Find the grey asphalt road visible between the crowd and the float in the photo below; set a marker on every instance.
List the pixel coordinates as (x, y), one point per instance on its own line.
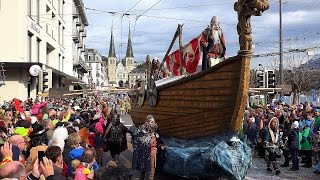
(256, 172)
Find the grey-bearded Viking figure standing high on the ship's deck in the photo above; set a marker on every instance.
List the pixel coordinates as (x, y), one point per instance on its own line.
(213, 44)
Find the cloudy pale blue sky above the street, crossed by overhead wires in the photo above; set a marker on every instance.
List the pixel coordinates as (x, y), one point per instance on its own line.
(154, 22)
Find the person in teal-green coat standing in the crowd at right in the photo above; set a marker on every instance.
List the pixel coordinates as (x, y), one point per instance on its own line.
(306, 146)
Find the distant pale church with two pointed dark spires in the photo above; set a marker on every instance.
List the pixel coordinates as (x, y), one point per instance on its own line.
(119, 70)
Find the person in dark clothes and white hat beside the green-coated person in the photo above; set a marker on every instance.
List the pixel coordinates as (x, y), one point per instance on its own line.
(293, 144)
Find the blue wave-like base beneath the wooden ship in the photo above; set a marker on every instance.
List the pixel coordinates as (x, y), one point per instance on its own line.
(207, 158)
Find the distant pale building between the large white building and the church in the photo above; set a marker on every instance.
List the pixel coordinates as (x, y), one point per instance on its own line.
(96, 75)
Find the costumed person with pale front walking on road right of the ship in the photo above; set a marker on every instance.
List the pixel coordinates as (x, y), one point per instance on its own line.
(271, 138)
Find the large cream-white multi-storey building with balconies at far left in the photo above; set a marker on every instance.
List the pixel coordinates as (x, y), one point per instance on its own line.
(38, 32)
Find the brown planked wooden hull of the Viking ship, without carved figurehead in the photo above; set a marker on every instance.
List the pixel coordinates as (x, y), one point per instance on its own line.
(202, 104)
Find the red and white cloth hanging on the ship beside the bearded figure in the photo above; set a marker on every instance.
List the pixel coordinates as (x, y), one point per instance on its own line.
(191, 58)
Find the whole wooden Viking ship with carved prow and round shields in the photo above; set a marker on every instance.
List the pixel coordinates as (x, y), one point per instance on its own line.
(208, 102)
